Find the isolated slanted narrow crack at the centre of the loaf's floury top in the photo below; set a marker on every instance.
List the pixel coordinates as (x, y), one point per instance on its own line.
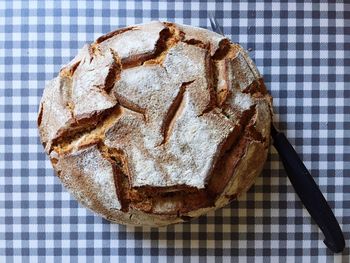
(174, 112)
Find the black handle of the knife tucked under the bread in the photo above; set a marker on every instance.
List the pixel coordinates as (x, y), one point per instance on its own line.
(309, 193)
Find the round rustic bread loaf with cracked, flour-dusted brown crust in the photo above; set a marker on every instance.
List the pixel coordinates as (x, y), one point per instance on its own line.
(157, 123)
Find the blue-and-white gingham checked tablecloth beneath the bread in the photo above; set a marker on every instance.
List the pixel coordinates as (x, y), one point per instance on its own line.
(302, 49)
